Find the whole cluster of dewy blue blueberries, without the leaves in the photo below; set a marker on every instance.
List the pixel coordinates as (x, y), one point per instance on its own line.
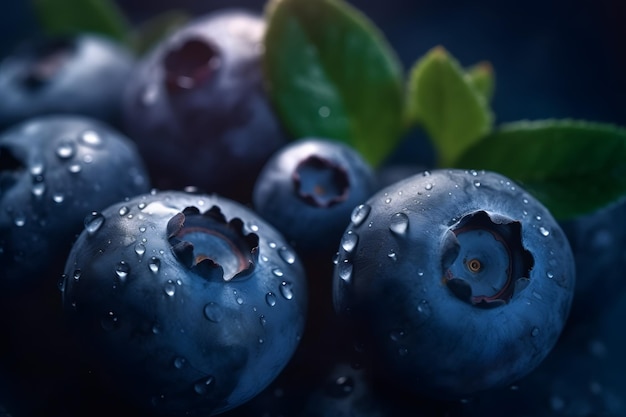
(179, 254)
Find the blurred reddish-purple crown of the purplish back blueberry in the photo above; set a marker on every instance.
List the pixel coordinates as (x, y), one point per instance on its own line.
(190, 65)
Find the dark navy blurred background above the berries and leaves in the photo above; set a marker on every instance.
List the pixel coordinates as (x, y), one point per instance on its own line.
(551, 58)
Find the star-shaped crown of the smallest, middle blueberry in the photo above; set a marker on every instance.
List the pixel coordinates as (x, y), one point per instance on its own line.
(320, 182)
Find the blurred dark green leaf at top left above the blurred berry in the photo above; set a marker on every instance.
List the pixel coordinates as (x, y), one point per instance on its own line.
(62, 17)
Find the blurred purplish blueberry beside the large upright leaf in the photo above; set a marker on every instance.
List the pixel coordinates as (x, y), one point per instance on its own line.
(197, 107)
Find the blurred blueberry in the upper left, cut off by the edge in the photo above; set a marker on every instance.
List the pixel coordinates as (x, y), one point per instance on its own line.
(82, 74)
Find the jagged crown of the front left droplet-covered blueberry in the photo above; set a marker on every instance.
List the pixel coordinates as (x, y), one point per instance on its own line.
(212, 247)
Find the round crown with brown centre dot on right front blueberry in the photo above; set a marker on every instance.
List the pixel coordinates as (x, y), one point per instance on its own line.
(485, 263)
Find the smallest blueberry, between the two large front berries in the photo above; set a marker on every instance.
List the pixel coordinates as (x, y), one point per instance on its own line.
(308, 190)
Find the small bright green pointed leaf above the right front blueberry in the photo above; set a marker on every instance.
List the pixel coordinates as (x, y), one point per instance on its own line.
(447, 105)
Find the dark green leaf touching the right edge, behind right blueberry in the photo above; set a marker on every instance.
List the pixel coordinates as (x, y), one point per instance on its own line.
(573, 167)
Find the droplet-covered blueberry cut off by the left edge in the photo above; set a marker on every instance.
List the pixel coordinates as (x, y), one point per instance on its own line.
(54, 170)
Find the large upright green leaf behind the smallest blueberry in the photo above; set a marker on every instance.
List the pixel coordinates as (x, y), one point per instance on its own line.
(330, 73)
